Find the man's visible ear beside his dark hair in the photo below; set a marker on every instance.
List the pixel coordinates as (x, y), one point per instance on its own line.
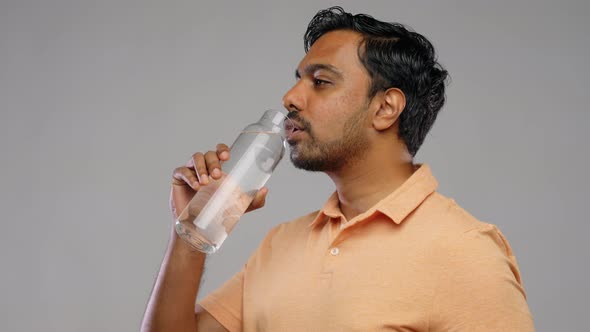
(390, 105)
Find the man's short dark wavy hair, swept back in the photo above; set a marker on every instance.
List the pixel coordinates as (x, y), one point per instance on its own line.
(394, 56)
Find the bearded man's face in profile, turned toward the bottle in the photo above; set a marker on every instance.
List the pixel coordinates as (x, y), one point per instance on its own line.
(329, 102)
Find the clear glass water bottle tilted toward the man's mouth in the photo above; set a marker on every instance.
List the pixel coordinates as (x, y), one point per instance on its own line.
(216, 207)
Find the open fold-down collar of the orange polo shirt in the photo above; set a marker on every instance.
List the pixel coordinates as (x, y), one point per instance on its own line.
(396, 206)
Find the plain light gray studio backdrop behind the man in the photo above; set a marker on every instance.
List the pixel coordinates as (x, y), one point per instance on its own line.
(100, 101)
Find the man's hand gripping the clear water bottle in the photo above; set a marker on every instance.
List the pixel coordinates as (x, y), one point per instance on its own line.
(187, 179)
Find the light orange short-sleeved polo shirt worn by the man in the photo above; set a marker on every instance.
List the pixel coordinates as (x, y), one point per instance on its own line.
(415, 261)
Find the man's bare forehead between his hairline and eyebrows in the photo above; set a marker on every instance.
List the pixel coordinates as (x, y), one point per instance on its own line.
(337, 48)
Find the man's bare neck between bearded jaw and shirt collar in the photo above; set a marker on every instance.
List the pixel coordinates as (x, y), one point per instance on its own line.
(379, 172)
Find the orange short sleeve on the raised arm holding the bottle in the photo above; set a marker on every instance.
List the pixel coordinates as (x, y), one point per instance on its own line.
(225, 303)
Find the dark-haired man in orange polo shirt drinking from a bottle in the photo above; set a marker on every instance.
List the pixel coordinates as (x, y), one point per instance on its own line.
(386, 251)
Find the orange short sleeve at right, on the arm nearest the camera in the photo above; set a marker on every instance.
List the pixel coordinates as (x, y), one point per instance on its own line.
(479, 287)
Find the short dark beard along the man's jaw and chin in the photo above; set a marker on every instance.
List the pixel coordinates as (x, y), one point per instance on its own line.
(311, 155)
